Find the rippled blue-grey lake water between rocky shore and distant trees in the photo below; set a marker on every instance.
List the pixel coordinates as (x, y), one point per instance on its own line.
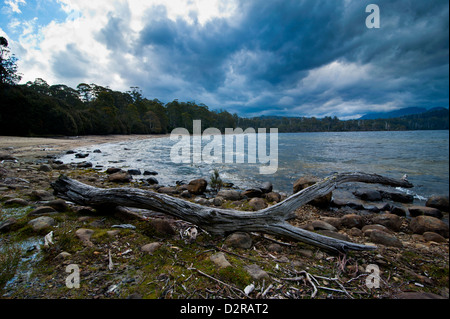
(422, 155)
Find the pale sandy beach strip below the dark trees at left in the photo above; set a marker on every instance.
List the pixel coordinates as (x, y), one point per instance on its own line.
(33, 147)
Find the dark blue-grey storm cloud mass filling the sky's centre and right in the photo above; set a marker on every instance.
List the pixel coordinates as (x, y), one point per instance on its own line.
(297, 57)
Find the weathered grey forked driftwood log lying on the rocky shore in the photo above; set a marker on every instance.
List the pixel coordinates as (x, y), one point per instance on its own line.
(271, 220)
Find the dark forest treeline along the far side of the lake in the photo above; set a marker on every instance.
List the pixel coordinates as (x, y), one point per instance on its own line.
(38, 109)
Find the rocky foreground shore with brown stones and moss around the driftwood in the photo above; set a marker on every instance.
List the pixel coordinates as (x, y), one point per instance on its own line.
(144, 254)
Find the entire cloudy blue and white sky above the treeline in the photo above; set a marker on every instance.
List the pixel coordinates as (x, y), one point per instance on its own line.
(250, 57)
